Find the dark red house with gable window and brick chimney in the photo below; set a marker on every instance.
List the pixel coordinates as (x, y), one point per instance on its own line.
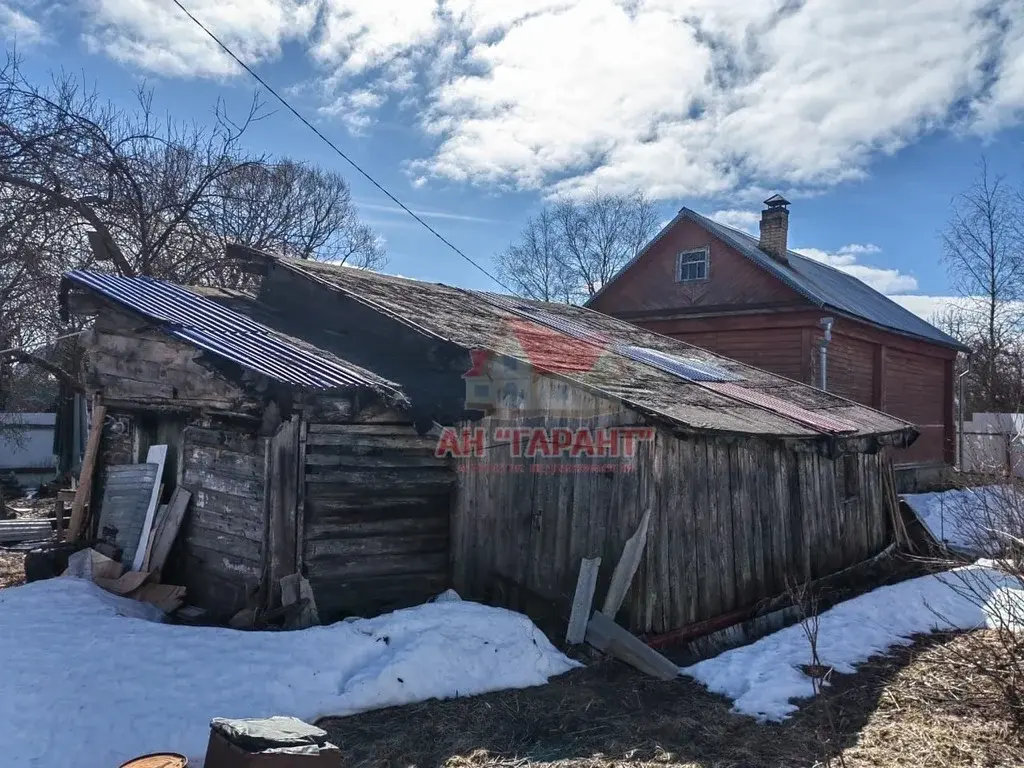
(758, 303)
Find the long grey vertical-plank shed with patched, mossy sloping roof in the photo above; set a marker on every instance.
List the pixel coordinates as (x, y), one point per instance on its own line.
(753, 481)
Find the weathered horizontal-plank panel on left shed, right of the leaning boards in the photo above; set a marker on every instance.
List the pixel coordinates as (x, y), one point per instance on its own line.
(223, 540)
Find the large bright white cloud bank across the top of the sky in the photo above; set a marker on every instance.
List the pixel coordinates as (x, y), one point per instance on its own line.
(681, 98)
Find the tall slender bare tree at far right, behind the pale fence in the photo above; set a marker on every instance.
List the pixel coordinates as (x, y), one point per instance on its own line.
(985, 253)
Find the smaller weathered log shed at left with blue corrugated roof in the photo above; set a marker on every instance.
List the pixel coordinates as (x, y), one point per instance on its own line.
(296, 459)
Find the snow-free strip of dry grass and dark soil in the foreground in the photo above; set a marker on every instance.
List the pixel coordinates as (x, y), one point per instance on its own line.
(908, 709)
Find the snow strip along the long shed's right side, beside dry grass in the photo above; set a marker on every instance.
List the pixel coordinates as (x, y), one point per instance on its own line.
(764, 678)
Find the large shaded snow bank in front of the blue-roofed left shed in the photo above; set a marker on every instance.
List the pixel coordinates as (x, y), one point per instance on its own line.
(91, 679)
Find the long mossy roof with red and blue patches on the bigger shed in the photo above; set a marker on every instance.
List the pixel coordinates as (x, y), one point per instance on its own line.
(759, 403)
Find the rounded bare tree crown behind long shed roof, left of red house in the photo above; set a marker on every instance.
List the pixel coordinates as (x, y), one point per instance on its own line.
(574, 247)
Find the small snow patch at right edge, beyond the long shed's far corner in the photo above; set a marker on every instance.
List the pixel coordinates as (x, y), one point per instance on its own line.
(966, 520)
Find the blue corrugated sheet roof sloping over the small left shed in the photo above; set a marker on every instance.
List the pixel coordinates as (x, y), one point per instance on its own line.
(228, 334)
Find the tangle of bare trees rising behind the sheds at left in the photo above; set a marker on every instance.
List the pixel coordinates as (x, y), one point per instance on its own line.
(84, 182)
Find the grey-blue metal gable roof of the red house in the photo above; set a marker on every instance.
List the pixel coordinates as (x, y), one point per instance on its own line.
(823, 285)
